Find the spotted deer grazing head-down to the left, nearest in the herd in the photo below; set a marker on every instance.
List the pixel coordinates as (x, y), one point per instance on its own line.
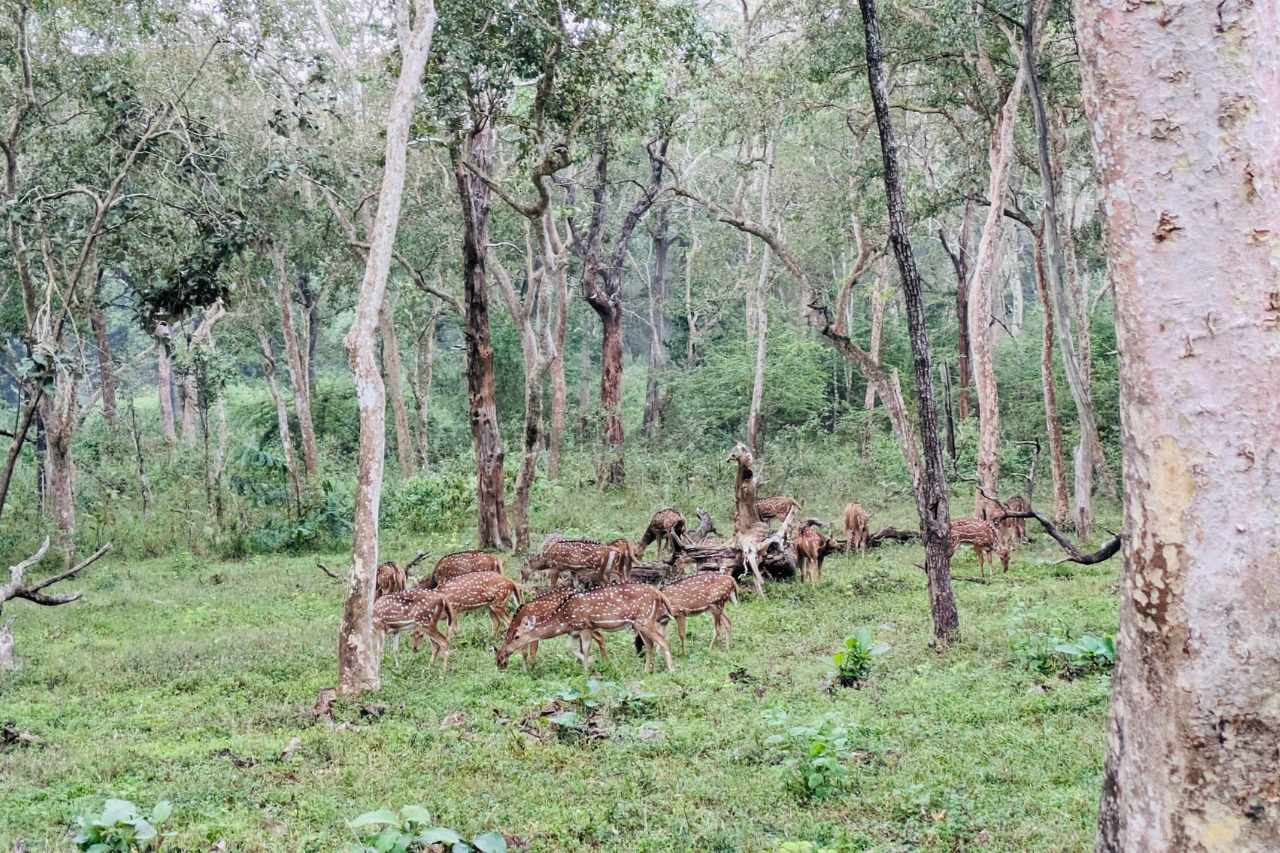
(607, 609)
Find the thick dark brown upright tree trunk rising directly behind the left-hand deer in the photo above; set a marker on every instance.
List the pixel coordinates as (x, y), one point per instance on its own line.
(474, 193)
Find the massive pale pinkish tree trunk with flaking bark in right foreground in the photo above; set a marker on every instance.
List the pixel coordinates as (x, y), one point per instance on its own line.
(1185, 104)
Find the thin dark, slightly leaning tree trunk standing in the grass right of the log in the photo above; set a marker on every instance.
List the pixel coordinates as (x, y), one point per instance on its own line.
(931, 492)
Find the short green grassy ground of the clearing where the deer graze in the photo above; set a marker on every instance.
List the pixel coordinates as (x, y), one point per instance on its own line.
(182, 679)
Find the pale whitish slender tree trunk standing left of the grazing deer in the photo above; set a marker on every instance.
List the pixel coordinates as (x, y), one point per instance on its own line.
(359, 649)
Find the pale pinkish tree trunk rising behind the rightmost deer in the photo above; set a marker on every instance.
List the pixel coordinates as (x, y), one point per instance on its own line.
(981, 288)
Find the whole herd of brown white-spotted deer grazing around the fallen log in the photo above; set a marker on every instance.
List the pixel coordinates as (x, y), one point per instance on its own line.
(602, 595)
